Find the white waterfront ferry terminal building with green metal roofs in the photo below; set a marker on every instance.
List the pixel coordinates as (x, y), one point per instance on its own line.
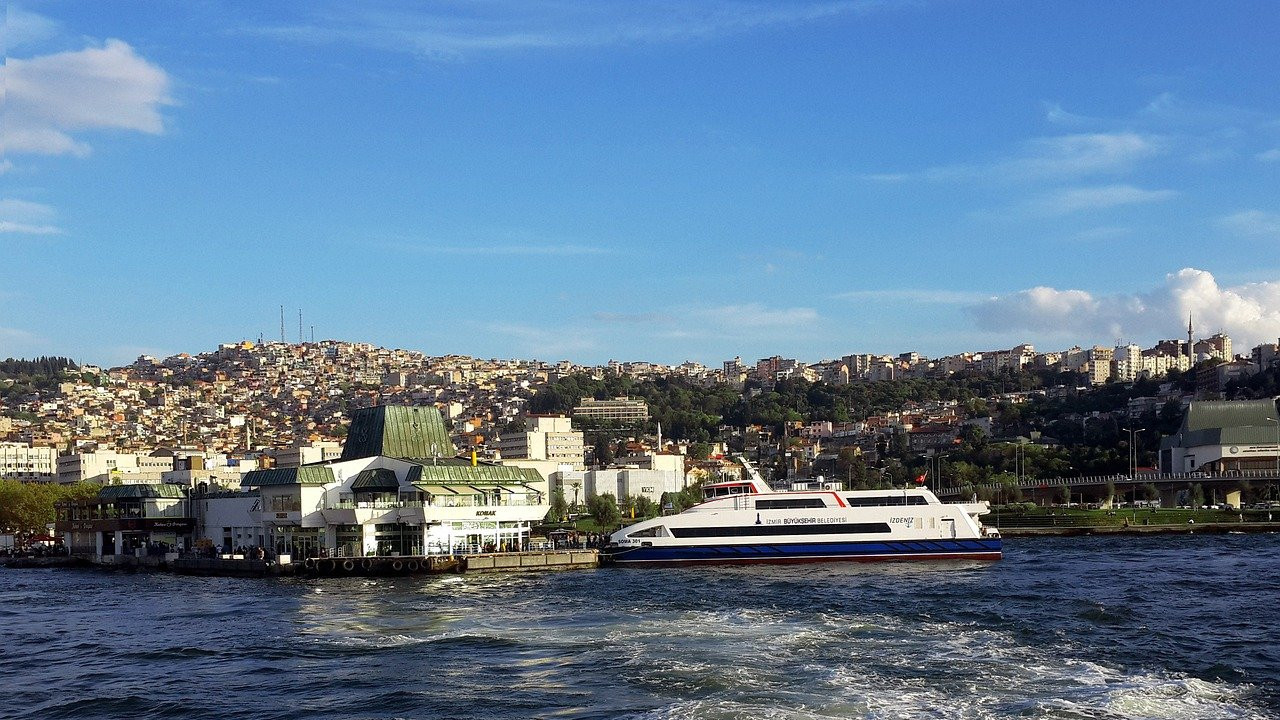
(397, 490)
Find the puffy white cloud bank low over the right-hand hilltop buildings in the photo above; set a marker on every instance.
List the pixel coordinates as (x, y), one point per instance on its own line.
(1250, 313)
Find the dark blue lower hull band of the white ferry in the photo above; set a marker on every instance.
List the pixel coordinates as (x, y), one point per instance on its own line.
(792, 553)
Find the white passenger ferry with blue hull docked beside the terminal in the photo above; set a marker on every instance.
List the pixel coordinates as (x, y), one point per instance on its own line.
(744, 522)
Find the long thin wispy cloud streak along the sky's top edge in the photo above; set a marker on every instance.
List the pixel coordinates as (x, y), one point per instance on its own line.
(540, 25)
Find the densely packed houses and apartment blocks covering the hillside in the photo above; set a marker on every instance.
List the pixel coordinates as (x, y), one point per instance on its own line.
(248, 405)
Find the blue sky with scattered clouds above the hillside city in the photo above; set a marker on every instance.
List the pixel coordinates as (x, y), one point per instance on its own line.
(659, 181)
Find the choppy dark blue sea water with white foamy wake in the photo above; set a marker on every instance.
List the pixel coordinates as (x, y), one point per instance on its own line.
(1069, 628)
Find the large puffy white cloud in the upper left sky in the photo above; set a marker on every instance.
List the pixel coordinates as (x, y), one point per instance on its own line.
(51, 98)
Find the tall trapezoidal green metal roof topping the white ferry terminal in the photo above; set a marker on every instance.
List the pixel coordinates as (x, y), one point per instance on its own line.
(397, 431)
